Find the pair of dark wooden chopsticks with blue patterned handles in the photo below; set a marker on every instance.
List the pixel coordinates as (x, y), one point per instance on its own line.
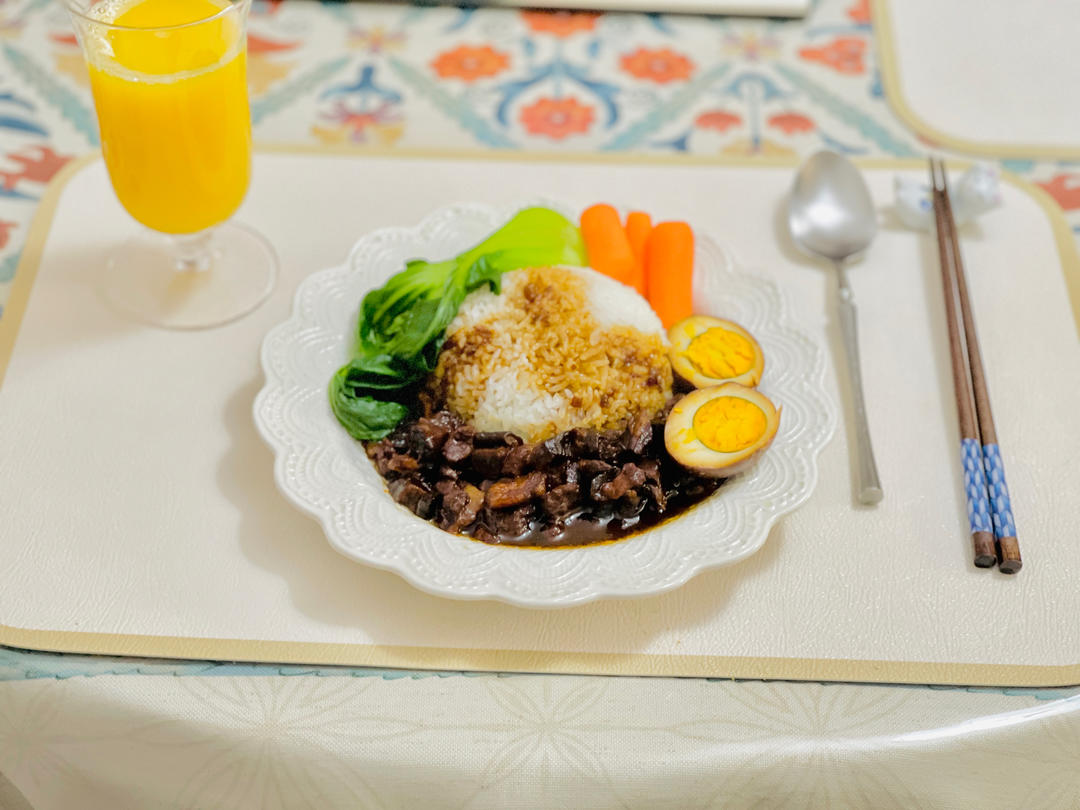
(989, 505)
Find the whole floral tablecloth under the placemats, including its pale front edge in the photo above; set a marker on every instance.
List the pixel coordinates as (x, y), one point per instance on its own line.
(92, 733)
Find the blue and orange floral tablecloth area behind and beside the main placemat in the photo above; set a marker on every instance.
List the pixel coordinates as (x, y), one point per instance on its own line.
(333, 73)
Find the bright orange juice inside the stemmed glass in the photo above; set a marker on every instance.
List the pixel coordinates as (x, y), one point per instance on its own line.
(172, 109)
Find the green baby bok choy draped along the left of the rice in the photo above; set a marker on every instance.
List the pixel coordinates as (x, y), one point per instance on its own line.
(403, 325)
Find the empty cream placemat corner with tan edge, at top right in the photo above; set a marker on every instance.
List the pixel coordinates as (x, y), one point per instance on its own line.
(984, 78)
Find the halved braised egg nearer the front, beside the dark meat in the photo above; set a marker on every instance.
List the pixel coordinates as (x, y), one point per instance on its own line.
(719, 431)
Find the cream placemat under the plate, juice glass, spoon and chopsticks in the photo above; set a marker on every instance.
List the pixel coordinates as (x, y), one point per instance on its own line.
(140, 499)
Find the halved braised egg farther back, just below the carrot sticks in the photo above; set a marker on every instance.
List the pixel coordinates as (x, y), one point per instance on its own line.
(708, 352)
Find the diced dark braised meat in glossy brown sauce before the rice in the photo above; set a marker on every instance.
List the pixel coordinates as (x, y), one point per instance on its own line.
(580, 488)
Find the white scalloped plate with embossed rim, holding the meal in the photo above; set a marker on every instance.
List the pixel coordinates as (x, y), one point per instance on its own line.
(326, 472)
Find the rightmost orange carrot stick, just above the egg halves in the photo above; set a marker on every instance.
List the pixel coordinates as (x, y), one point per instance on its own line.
(669, 272)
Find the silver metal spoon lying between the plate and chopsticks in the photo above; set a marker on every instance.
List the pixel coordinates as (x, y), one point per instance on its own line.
(831, 217)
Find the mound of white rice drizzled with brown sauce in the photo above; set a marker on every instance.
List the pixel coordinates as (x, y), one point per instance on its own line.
(559, 348)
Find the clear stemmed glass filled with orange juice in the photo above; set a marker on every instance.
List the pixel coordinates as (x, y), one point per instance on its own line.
(169, 80)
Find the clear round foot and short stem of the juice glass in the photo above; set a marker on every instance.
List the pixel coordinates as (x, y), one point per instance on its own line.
(147, 279)
